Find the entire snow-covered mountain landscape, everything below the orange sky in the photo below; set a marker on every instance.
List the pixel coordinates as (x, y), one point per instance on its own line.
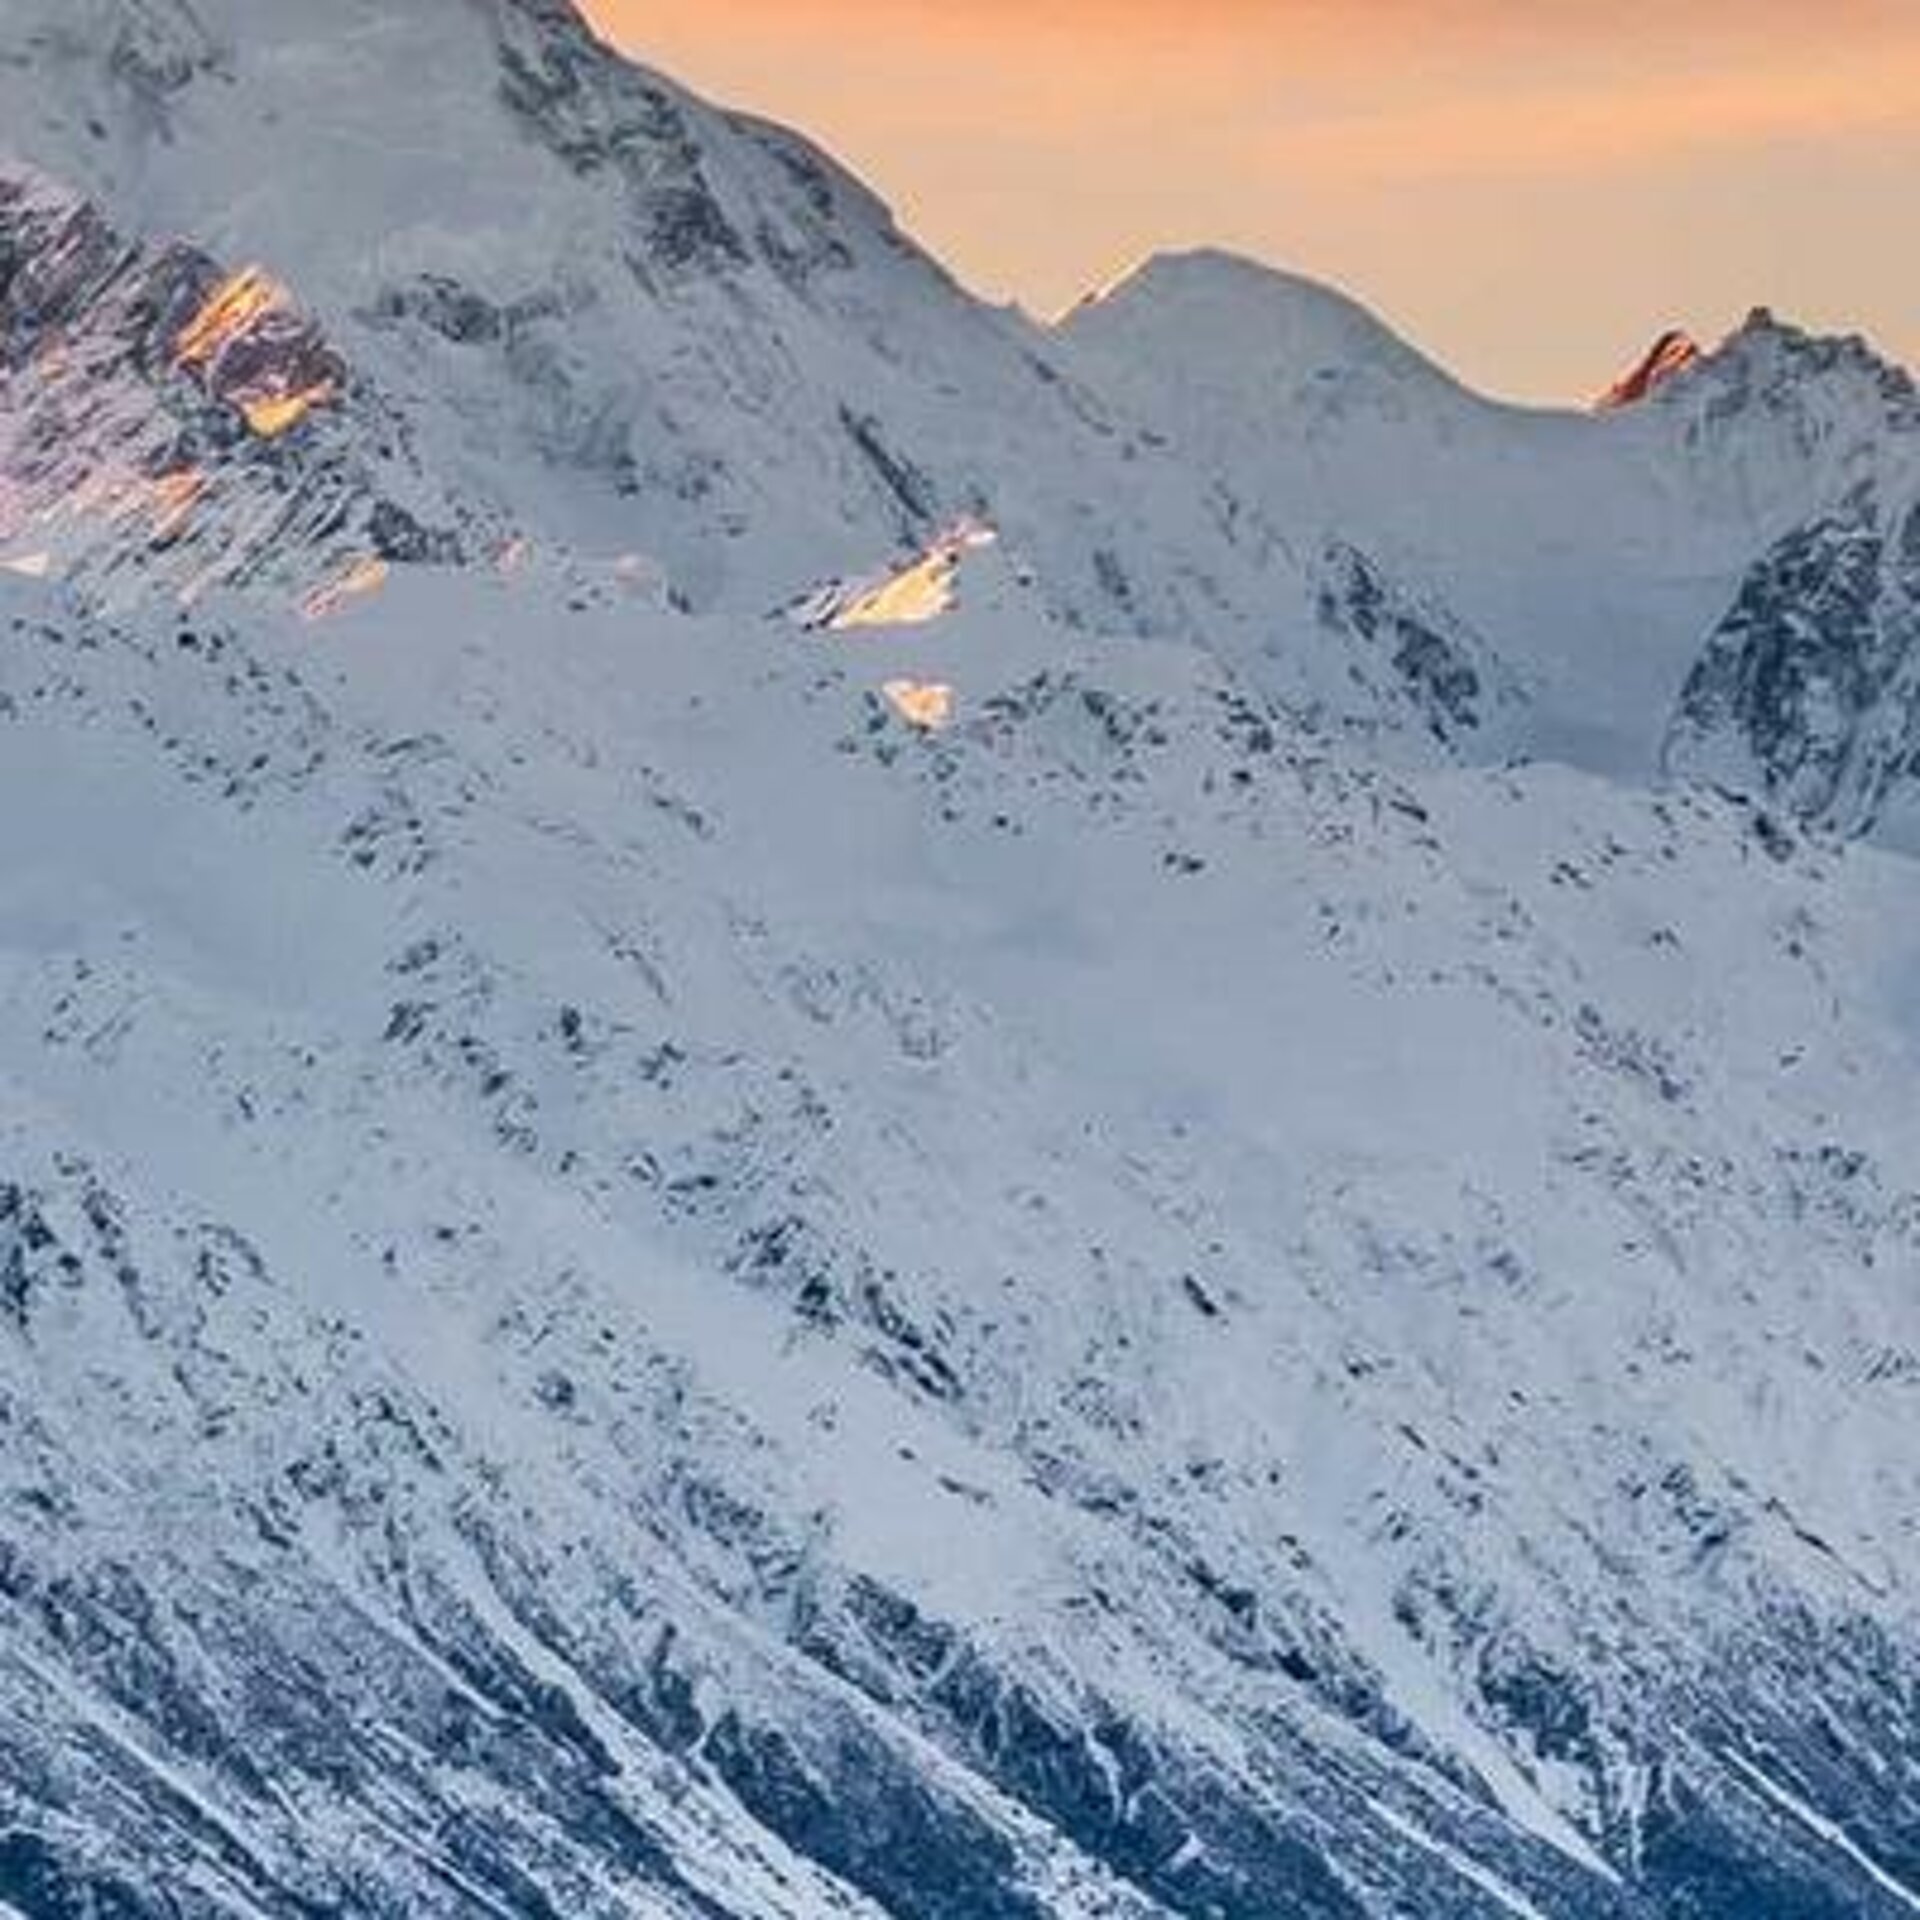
(719, 1199)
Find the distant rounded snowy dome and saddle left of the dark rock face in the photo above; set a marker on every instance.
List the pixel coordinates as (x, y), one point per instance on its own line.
(1595, 554)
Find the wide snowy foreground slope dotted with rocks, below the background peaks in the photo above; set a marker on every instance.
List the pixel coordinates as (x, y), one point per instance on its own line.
(577, 1337)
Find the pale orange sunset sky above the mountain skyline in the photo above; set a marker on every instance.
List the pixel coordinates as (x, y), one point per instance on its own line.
(1533, 191)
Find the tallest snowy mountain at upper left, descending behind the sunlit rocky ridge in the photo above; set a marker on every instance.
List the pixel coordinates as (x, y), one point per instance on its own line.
(613, 314)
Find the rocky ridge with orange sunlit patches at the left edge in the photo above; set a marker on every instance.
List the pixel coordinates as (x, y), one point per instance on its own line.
(178, 425)
